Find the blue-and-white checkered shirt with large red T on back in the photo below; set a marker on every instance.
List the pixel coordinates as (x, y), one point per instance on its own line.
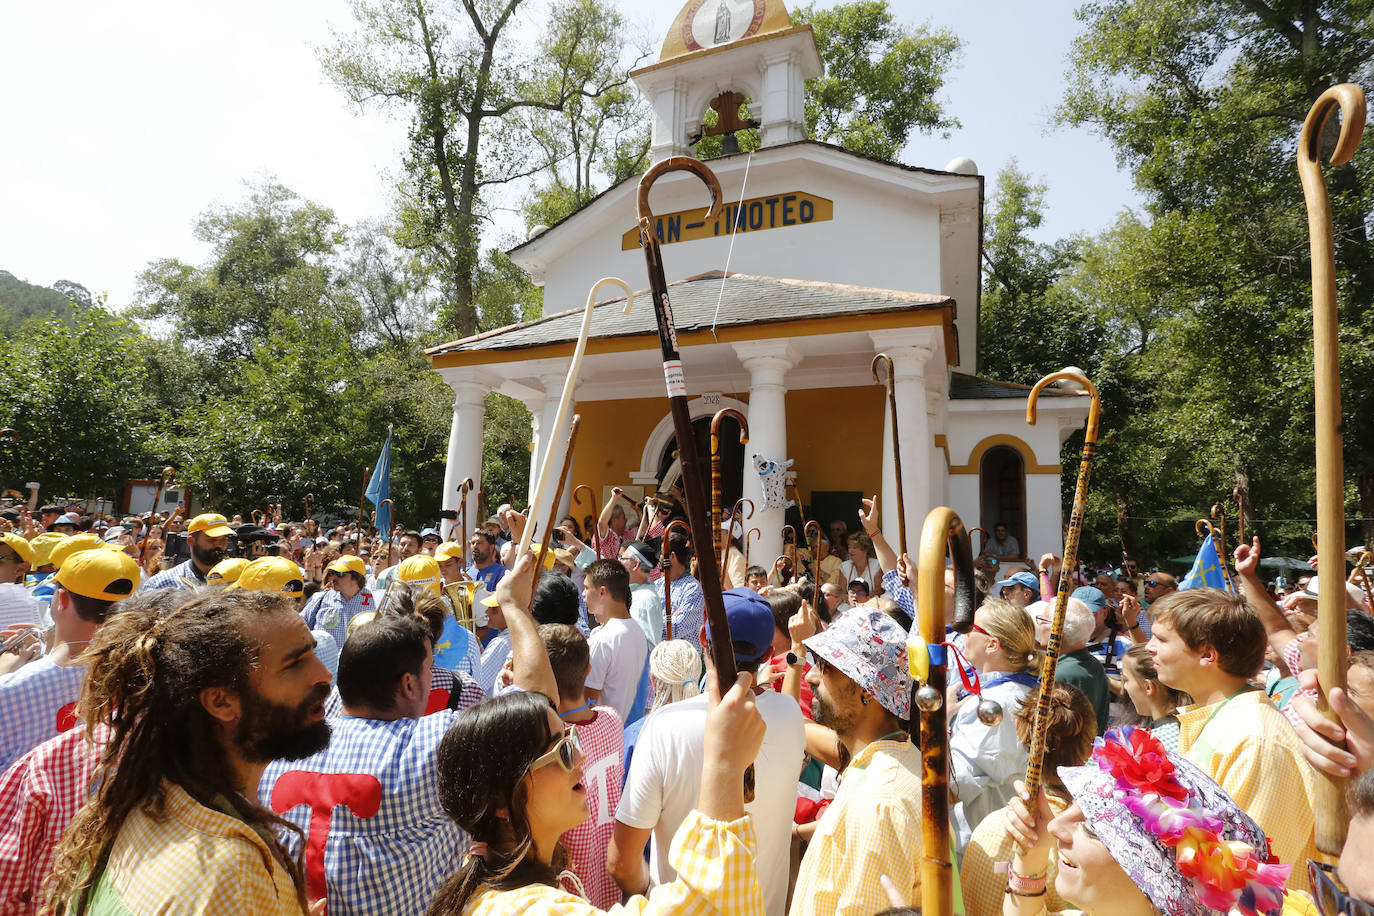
(377, 837)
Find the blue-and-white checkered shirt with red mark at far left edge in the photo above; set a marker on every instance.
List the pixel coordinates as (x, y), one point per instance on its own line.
(36, 702)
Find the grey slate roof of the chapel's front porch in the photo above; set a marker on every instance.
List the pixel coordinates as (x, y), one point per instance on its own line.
(748, 300)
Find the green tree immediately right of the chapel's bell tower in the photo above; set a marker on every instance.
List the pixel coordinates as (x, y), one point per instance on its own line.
(883, 79)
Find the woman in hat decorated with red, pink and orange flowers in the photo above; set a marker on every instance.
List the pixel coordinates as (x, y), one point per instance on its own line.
(1148, 834)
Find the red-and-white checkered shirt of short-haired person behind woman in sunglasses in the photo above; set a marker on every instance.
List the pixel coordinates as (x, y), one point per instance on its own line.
(604, 771)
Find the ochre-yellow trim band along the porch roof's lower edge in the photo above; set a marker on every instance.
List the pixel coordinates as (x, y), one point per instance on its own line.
(763, 332)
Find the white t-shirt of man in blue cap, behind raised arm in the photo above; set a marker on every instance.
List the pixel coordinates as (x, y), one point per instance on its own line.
(666, 778)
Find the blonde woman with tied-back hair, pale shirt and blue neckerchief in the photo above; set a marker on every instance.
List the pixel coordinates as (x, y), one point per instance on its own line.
(986, 759)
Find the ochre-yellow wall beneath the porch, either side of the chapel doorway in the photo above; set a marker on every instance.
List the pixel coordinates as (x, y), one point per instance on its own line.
(835, 437)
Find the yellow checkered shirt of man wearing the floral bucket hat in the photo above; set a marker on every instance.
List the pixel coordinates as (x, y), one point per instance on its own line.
(873, 829)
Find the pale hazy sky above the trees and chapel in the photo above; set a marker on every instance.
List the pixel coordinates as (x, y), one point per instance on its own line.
(126, 122)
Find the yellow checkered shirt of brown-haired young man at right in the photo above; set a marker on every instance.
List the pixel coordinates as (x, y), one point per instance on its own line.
(1258, 759)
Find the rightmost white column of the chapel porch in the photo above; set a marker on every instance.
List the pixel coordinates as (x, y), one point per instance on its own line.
(913, 440)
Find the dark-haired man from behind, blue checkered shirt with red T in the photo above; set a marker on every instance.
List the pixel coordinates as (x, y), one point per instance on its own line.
(376, 837)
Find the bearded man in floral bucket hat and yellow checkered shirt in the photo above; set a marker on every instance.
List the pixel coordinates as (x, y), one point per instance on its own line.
(862, 690)
